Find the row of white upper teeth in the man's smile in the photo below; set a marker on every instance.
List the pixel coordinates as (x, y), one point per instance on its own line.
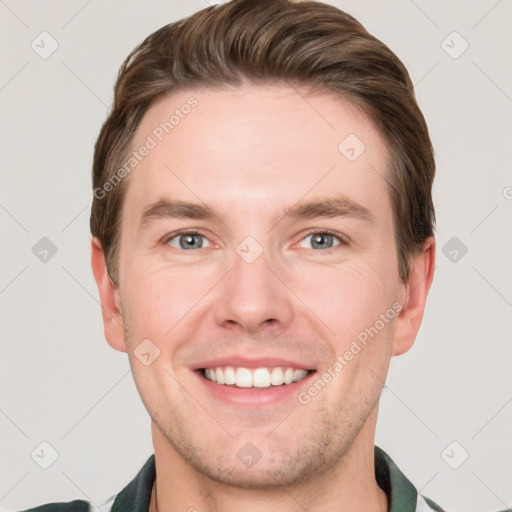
(257, 378)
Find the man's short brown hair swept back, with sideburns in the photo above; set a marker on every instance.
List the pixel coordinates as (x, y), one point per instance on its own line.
(302, 43)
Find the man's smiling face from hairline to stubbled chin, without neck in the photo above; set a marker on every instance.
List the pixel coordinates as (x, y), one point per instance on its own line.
(259, 294)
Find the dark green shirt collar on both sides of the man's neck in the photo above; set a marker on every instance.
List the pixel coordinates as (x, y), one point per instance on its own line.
(401, 493)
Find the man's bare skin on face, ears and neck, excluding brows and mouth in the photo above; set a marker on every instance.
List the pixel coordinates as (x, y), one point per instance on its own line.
(249, 153)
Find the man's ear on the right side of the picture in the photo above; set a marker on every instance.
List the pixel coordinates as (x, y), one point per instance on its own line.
(414, 297)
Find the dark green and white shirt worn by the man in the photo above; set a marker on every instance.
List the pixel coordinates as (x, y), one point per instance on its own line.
(135, 497)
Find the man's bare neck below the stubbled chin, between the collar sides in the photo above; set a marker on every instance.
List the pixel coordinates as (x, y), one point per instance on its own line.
(349, 485)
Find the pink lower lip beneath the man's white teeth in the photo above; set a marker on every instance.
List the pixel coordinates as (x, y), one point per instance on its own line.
(254, 396)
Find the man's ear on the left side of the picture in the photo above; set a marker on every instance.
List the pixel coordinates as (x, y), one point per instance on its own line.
(109, 297)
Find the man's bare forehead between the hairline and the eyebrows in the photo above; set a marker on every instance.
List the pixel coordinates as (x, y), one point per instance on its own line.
(251, 149)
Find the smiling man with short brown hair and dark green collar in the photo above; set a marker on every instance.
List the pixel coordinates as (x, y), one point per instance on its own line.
(263, 244)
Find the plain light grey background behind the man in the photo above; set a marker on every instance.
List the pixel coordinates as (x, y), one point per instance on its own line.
(60, 381)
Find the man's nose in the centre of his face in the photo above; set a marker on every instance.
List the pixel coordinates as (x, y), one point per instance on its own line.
(253, 297)
